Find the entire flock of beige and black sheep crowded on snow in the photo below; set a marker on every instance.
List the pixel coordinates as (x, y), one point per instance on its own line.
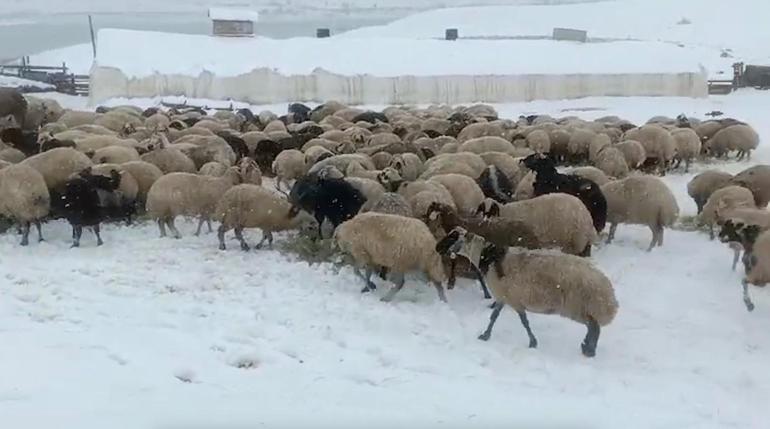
(441, 190)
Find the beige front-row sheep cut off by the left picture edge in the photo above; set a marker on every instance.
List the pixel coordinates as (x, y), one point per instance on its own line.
(24, 198)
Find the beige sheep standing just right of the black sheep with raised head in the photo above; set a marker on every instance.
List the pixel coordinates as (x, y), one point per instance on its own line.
(640, 200)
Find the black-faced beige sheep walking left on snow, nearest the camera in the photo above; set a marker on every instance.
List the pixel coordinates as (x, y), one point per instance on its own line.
(545, 283)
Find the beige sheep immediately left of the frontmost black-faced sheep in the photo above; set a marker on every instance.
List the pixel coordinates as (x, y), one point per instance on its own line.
(399, 244)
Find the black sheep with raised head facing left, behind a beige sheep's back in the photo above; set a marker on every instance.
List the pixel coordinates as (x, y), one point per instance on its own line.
(548, 181)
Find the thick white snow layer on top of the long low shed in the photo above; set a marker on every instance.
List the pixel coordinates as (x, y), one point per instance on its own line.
(190, 55)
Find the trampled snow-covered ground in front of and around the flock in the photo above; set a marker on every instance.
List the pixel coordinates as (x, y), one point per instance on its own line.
(147, 331)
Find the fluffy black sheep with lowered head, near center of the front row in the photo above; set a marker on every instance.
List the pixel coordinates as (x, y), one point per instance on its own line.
(326, 198)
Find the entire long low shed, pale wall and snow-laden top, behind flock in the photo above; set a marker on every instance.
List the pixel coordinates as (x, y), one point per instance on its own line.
(385, 70)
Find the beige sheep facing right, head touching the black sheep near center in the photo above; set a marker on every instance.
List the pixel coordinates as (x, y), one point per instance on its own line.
(252, 206)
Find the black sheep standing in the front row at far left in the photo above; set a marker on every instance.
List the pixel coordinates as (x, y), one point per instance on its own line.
(82, 203)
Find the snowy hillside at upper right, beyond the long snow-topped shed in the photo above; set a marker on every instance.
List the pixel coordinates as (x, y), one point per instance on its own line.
(714, 24)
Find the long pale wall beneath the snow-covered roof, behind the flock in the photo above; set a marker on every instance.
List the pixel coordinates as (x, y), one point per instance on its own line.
(263, 86)
